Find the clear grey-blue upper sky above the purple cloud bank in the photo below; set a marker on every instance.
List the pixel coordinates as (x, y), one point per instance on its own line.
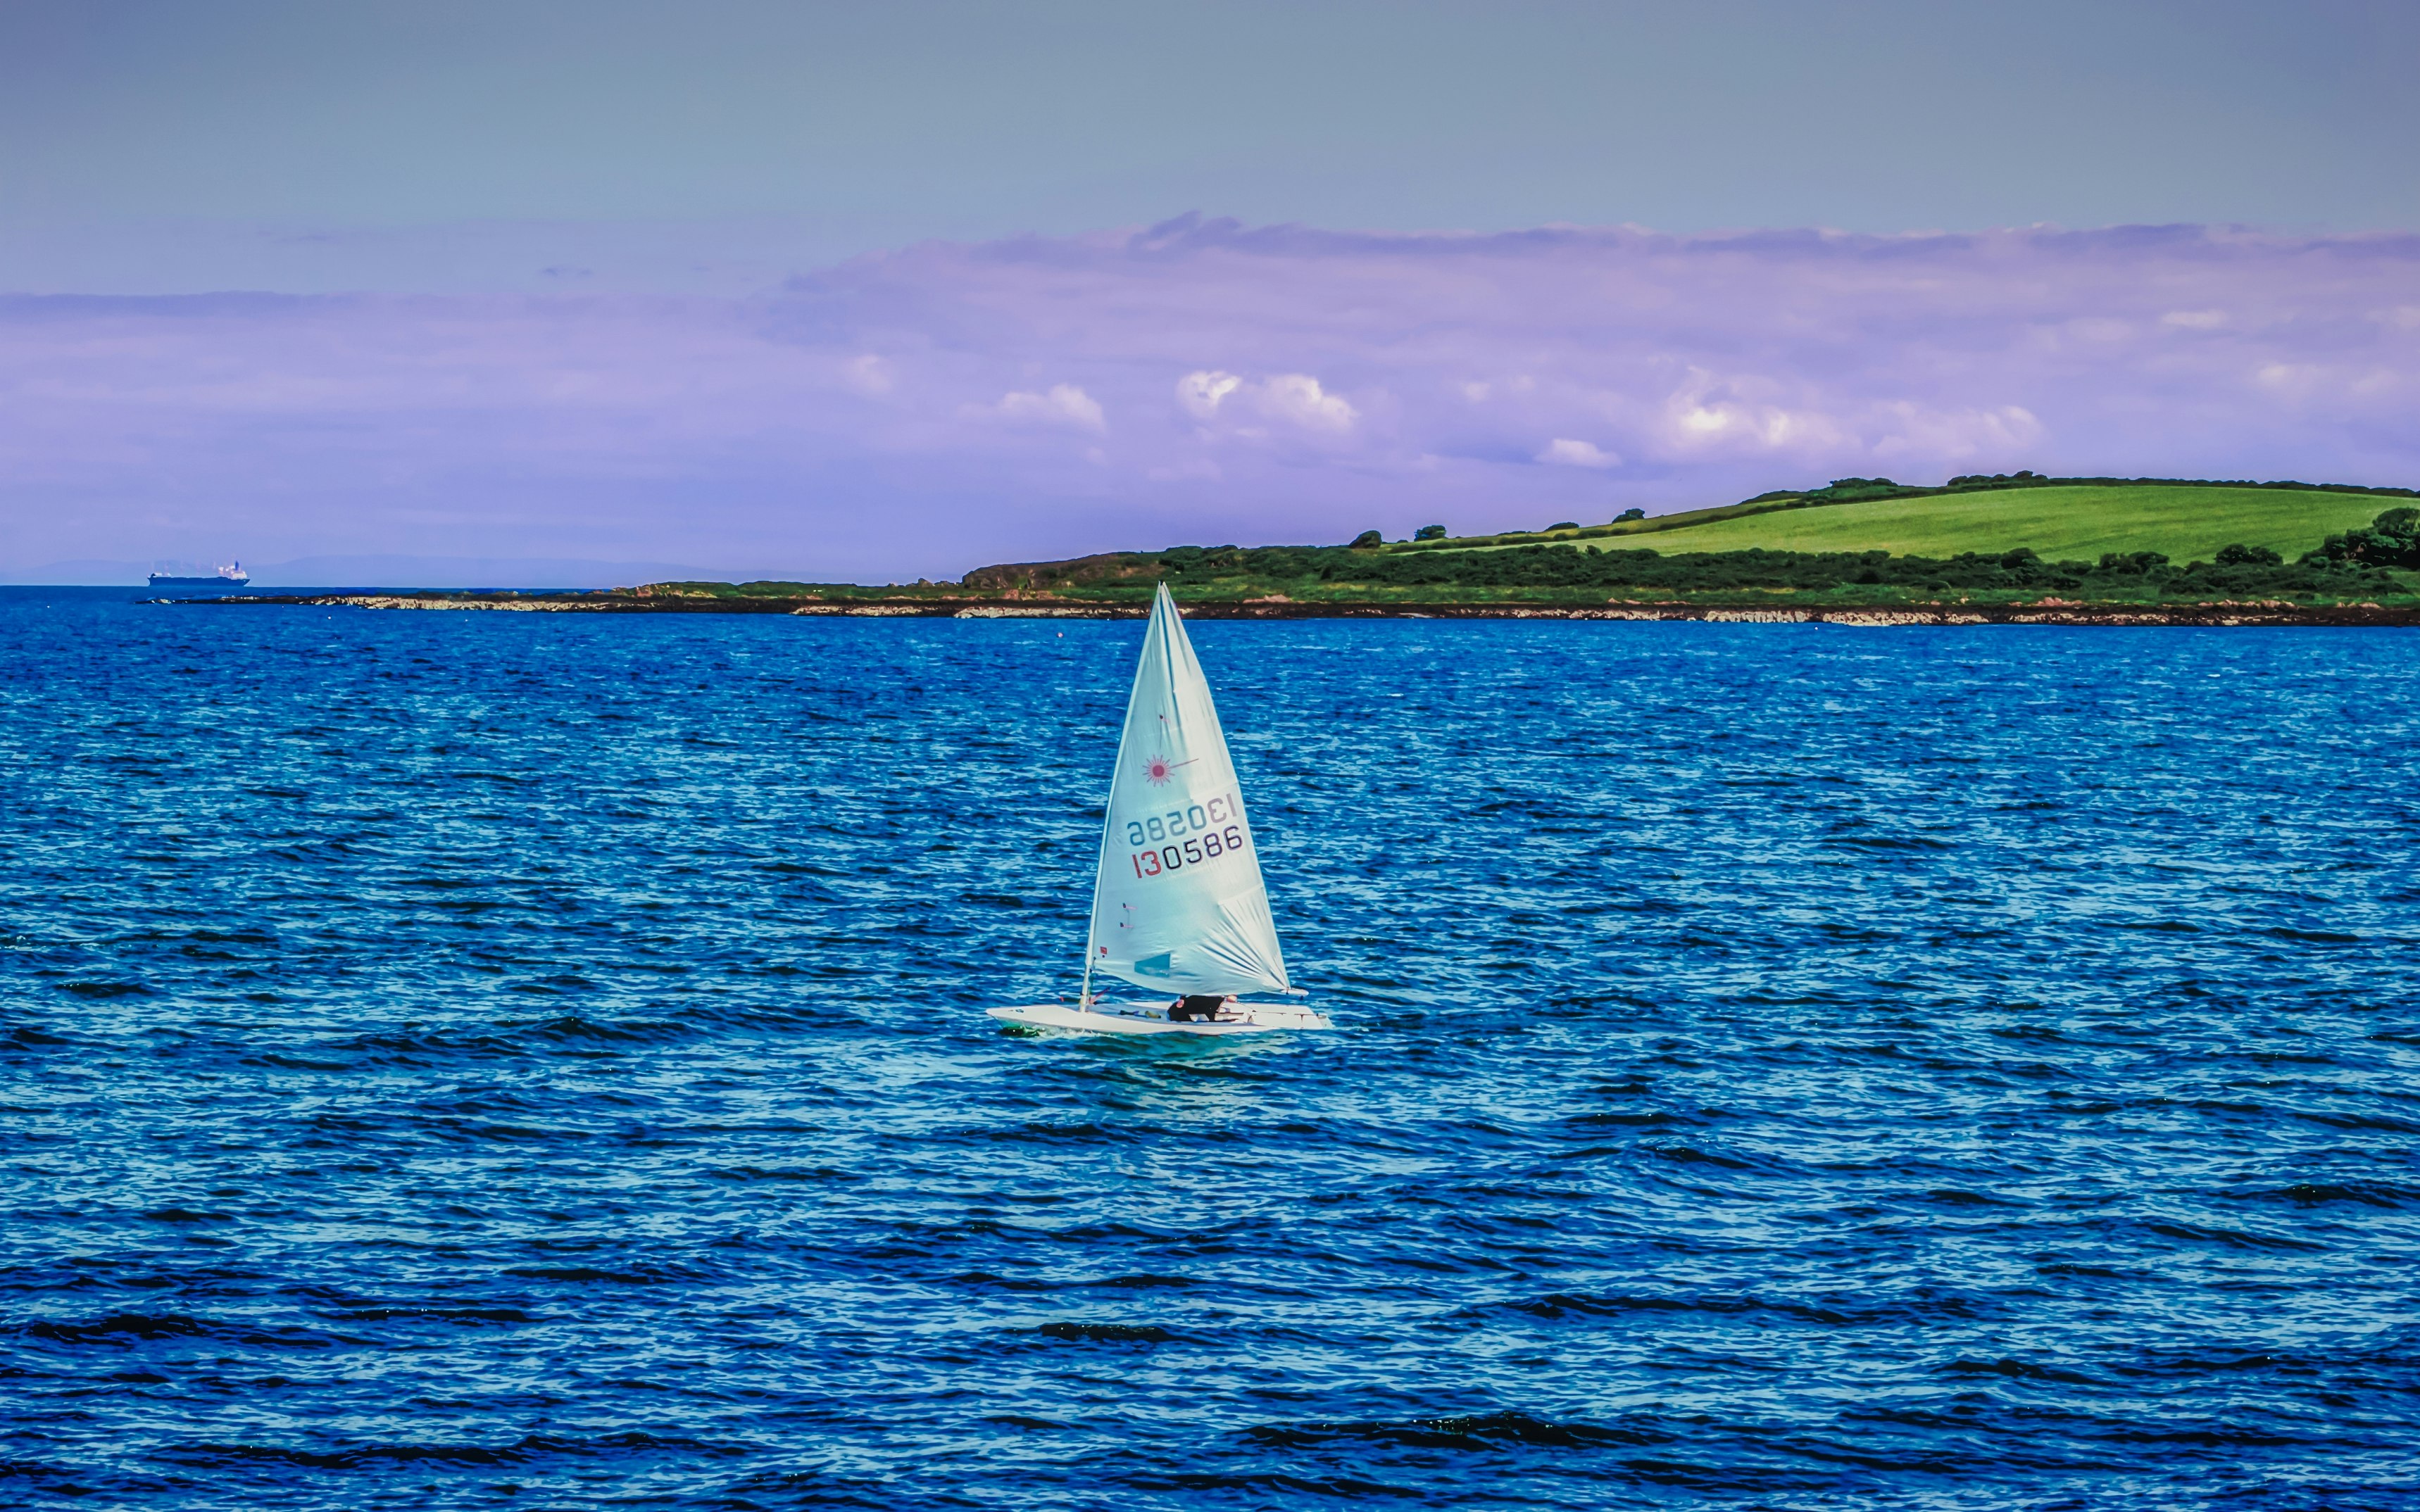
(797, 134)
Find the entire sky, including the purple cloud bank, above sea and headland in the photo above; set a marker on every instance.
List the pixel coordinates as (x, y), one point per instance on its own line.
(480, 226)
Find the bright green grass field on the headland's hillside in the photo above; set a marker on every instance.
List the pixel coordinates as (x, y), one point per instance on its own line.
(2061, 524)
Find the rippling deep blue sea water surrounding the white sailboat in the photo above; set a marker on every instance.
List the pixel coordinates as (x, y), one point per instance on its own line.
(536, 1061)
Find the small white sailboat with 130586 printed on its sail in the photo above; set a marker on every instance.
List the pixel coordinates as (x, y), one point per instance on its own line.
(1177, 901)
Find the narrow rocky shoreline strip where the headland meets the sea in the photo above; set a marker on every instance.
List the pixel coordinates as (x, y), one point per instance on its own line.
(1281, 608)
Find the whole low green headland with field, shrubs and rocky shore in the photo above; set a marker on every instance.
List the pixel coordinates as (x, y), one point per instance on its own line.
(1983, 548)
